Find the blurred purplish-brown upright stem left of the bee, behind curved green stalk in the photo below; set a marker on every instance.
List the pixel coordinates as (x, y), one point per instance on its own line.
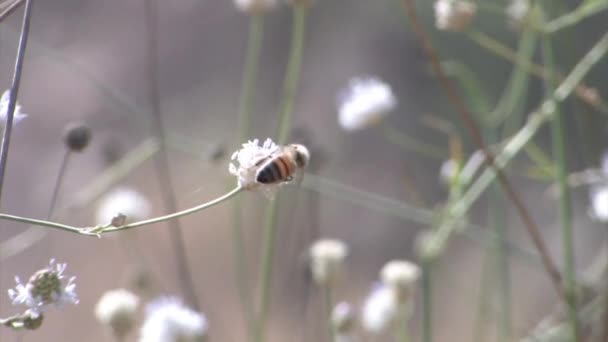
(161, 160)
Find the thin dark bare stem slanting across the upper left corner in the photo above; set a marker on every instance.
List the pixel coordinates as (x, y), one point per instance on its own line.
(12, 101)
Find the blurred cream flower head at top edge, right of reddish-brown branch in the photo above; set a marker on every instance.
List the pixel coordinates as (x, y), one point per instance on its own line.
(453, 15)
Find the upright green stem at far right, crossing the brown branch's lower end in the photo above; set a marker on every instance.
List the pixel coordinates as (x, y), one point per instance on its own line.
(565, 209)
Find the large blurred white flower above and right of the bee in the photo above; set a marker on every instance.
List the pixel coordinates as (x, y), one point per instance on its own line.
(364, 103)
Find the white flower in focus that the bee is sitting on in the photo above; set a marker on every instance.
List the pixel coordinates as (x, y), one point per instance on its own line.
(246, 164)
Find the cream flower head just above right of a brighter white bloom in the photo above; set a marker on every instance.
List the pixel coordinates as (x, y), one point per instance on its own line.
(402, 276)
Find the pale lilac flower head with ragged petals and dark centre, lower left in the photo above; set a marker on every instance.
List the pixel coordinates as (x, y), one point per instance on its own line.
(46, 286)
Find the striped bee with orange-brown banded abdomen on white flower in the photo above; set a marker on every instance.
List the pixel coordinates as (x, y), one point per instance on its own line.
(281, 165)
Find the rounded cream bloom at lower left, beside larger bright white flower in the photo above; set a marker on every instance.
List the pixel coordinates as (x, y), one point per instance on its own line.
(117, 309)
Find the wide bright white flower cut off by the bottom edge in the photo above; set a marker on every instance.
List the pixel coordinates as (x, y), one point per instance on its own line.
(168, 320)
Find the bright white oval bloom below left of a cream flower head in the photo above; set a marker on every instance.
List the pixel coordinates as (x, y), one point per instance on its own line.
(380, 309)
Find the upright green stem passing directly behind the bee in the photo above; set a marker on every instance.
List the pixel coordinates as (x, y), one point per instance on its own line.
(292, 77)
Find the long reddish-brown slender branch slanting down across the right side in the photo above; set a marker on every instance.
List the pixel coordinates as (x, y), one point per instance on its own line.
(467, 118)
